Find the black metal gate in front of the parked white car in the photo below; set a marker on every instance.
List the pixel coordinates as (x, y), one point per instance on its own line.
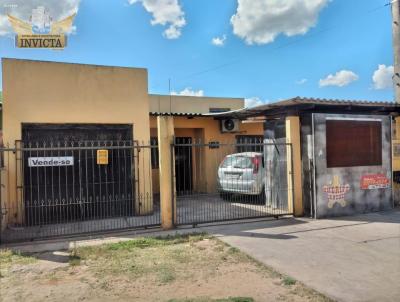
(232, 181)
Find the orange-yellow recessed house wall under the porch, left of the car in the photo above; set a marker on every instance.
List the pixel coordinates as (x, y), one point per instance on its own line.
(205, 130)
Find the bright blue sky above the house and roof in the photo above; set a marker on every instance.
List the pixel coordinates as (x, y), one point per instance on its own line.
(348, 40)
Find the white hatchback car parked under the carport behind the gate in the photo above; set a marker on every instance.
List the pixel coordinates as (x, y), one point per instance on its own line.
(242, 173)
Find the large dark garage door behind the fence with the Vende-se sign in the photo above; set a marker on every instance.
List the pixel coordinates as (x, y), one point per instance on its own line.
(68, 184)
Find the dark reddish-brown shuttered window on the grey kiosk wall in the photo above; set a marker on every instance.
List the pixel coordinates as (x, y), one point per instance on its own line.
(351, 143)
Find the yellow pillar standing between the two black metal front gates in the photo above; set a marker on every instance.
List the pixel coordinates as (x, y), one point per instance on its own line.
(165, 130)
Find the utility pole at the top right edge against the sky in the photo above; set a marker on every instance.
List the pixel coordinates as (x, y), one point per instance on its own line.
(396, 48)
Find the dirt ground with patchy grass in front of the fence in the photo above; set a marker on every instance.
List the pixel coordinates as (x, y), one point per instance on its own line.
(188, 268)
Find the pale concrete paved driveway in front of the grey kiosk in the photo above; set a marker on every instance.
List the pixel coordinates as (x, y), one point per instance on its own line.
(349, 259)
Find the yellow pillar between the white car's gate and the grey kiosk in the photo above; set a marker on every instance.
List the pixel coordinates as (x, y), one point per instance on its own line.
(294, 165)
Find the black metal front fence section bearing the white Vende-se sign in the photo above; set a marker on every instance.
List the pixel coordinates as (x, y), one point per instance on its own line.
(63, 189)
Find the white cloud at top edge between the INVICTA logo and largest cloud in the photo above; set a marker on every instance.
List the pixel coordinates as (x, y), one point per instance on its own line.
(166, 13)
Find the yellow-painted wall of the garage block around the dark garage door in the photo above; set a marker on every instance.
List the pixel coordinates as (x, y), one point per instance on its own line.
(48, 92)
